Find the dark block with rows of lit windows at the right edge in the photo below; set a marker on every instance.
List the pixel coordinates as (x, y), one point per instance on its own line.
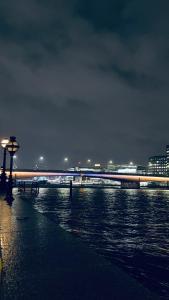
(157, 165)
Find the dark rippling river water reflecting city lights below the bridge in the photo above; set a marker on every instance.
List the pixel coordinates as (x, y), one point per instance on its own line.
(128, 227)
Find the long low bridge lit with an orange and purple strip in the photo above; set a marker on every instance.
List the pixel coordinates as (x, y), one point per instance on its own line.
(127, 180)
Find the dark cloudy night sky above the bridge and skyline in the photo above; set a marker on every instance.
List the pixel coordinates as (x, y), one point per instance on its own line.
(85, 79)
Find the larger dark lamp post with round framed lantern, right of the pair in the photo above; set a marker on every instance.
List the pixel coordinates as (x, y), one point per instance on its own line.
(12, 147)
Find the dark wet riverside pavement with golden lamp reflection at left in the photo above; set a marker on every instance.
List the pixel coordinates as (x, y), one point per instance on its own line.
(39, 260)
